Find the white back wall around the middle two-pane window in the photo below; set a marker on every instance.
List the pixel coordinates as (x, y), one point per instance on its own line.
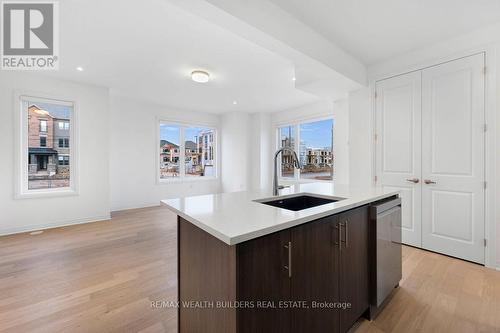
(133, 162)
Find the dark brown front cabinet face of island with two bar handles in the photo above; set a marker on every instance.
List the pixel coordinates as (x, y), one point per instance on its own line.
(323, 263)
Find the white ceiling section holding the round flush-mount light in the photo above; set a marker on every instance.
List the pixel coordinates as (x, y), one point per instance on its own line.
(148, 49)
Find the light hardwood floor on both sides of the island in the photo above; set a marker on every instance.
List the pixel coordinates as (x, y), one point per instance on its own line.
(102, 277)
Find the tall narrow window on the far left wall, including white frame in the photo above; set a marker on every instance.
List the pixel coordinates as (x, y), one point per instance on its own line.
(45, 156)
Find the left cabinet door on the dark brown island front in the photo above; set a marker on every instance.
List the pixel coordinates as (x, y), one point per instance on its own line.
(263, 276)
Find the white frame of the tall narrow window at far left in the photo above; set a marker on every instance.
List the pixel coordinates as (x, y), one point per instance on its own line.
(21, 190)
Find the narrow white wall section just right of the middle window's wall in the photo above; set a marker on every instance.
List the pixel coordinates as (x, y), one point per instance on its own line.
(235, 151)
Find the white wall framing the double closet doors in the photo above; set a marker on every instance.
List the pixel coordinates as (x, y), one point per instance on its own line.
(487, 40)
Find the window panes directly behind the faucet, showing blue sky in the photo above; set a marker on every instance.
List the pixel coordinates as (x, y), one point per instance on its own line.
(313, 142)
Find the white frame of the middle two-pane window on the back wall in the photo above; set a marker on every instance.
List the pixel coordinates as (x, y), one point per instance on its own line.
(182, 166)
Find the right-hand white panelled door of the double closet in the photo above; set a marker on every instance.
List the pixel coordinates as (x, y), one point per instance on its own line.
(453, 158)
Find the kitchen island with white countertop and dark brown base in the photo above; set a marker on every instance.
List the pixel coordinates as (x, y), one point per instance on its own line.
(245, 265)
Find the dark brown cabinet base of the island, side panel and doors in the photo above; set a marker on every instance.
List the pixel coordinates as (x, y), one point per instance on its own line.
(320, 264)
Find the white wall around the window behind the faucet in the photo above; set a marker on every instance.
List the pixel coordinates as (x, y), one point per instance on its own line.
(340, 112)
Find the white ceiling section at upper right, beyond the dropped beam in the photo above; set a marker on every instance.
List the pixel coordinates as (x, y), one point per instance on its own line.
(373, 31)
